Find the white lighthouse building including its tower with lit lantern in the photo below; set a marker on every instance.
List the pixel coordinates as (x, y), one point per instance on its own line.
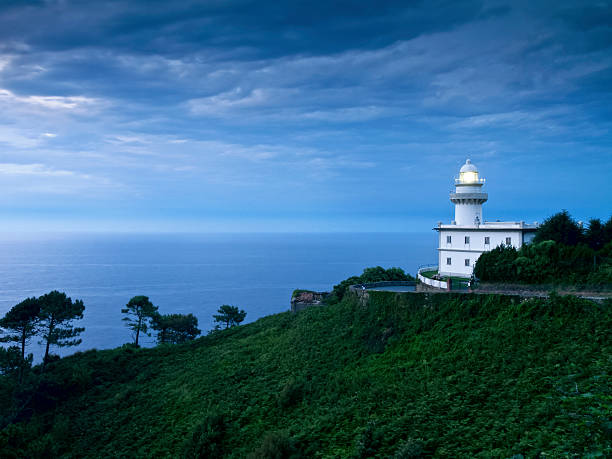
(463, 240)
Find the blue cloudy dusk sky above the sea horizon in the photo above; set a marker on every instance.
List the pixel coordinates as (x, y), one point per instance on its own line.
(248, 116)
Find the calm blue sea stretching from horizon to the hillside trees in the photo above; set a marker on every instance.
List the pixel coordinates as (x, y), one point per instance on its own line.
(192, 273)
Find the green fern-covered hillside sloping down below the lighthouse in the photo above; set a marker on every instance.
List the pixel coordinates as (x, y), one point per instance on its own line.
(405, 375)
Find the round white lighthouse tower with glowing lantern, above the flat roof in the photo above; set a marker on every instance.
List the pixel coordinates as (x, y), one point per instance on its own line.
(468, 196)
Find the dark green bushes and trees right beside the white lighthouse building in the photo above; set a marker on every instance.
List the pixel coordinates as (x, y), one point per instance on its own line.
(562, 253)
